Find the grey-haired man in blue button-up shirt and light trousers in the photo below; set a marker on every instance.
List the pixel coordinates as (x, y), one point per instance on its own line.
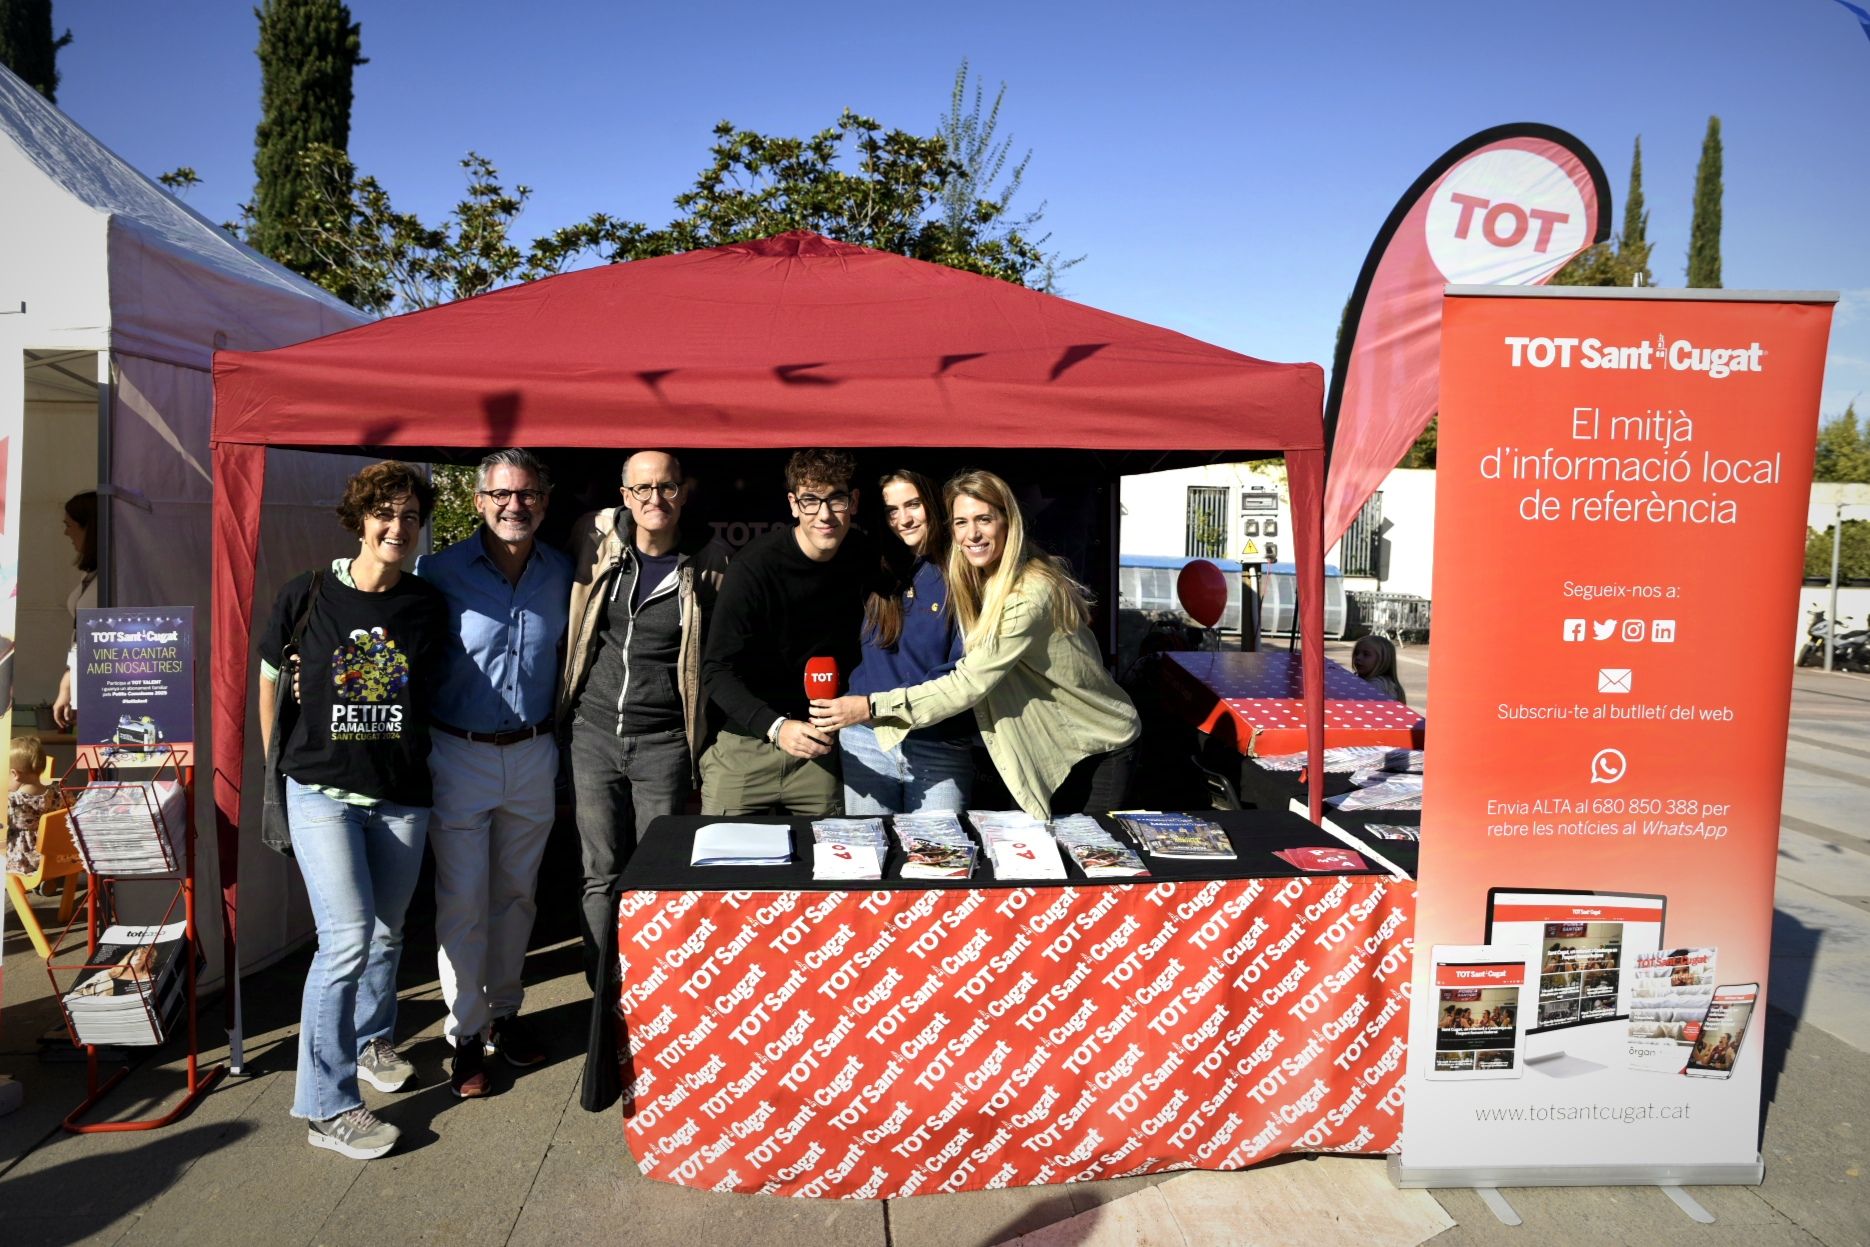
(495, 760)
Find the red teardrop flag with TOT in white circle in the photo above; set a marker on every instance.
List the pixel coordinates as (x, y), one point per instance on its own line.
(1508, 207)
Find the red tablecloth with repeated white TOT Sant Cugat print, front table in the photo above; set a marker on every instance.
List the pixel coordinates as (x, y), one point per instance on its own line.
(887, 1044)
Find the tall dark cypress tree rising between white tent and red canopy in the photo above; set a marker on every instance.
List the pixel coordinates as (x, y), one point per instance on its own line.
(308, 53)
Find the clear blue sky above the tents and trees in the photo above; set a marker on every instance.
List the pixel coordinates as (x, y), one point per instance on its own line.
(1224, 167)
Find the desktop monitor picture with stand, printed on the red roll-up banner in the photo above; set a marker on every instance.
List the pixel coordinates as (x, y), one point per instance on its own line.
(1585, 943)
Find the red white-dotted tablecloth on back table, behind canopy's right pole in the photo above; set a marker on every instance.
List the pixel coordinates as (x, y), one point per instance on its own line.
(1256, 698)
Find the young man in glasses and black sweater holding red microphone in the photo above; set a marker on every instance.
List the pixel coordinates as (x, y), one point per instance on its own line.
(792, 595)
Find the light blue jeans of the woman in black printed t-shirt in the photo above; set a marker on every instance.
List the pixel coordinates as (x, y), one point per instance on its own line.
(360, 867)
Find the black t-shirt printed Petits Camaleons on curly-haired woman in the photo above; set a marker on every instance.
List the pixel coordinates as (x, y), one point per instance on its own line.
(369, 663)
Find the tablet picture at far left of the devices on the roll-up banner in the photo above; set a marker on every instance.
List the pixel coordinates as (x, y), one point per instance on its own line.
(1480, 1010)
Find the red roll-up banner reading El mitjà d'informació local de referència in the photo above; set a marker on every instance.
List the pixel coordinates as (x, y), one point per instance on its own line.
(1618, 543)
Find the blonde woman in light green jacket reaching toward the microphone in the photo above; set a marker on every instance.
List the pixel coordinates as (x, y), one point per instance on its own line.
(1057, 726)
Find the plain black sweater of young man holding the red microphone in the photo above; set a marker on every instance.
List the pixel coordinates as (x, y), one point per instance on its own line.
(777, 612)
